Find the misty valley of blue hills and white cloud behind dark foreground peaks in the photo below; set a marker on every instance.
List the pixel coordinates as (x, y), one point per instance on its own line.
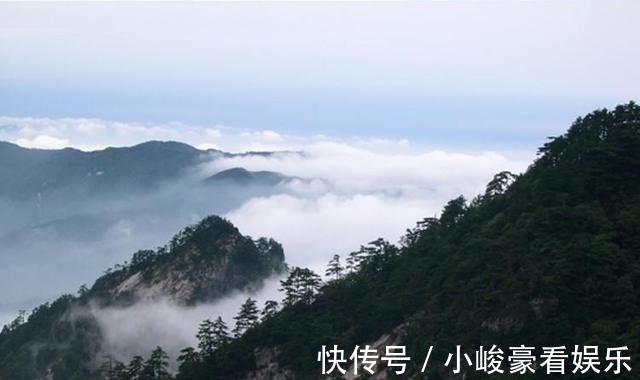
(71, 214)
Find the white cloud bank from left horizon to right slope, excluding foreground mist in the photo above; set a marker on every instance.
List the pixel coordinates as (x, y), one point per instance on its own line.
(360, 189)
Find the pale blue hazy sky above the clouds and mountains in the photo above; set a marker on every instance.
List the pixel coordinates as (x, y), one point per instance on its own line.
(476, 74)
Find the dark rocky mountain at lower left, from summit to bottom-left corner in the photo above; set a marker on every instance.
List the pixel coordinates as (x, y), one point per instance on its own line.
(202, 263)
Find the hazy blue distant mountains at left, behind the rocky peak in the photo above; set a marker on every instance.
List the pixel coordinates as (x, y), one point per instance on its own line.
(61, 205)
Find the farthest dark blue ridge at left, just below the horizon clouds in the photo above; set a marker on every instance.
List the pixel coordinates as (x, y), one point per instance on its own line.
(29, 172)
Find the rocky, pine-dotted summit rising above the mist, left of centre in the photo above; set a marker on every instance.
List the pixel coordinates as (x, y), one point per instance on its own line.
(201, 263)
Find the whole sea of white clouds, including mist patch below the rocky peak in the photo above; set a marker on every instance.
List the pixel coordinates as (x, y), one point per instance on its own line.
(347, 192)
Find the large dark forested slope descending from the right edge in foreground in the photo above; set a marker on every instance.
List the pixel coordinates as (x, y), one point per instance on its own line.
(553, 259)
